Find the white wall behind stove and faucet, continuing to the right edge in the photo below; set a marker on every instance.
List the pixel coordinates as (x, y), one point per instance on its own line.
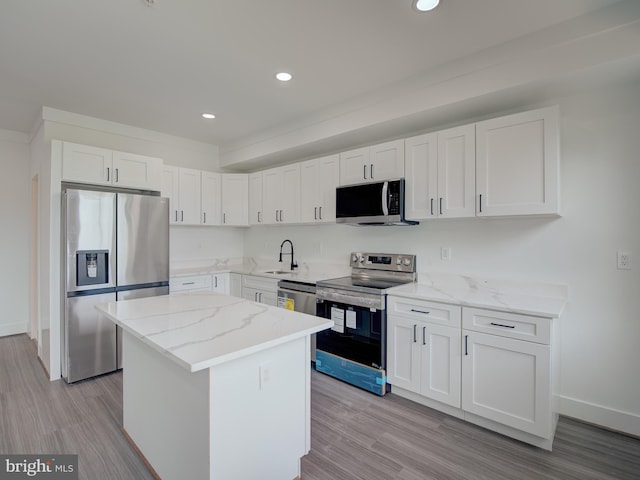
(600, 145)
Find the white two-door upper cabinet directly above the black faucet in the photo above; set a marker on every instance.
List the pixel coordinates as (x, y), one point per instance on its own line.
(281, 194)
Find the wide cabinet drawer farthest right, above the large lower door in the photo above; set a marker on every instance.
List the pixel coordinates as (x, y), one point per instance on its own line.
(512, 325)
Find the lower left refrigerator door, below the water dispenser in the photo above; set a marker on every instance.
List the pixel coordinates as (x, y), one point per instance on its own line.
(89, 339)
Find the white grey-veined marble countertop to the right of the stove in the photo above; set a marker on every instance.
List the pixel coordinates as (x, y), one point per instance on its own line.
(529, 298)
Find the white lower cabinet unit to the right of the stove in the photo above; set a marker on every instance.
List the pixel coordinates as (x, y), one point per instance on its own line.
(495, 368)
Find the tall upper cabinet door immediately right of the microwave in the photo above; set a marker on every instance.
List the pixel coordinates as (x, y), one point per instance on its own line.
(421, 167)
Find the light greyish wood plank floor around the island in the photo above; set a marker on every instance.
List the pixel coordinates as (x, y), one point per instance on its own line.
(354, 434)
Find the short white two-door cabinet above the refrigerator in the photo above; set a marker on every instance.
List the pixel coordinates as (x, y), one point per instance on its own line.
(100, 166)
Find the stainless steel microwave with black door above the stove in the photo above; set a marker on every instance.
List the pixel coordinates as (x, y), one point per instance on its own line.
(377, 203)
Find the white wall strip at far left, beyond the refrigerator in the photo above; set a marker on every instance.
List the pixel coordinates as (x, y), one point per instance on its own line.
(15, 214)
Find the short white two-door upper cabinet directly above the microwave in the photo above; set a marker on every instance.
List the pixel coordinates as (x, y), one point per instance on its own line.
(380, 162)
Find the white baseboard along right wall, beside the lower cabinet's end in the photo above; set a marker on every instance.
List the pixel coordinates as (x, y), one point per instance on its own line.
(606, 417)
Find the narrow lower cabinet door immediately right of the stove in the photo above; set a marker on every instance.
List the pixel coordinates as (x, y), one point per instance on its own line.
(403, 353)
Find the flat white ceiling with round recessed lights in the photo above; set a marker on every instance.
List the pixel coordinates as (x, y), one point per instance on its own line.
(159, 67)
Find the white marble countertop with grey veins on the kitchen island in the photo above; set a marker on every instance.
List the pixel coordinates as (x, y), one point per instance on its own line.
(202, 330)
